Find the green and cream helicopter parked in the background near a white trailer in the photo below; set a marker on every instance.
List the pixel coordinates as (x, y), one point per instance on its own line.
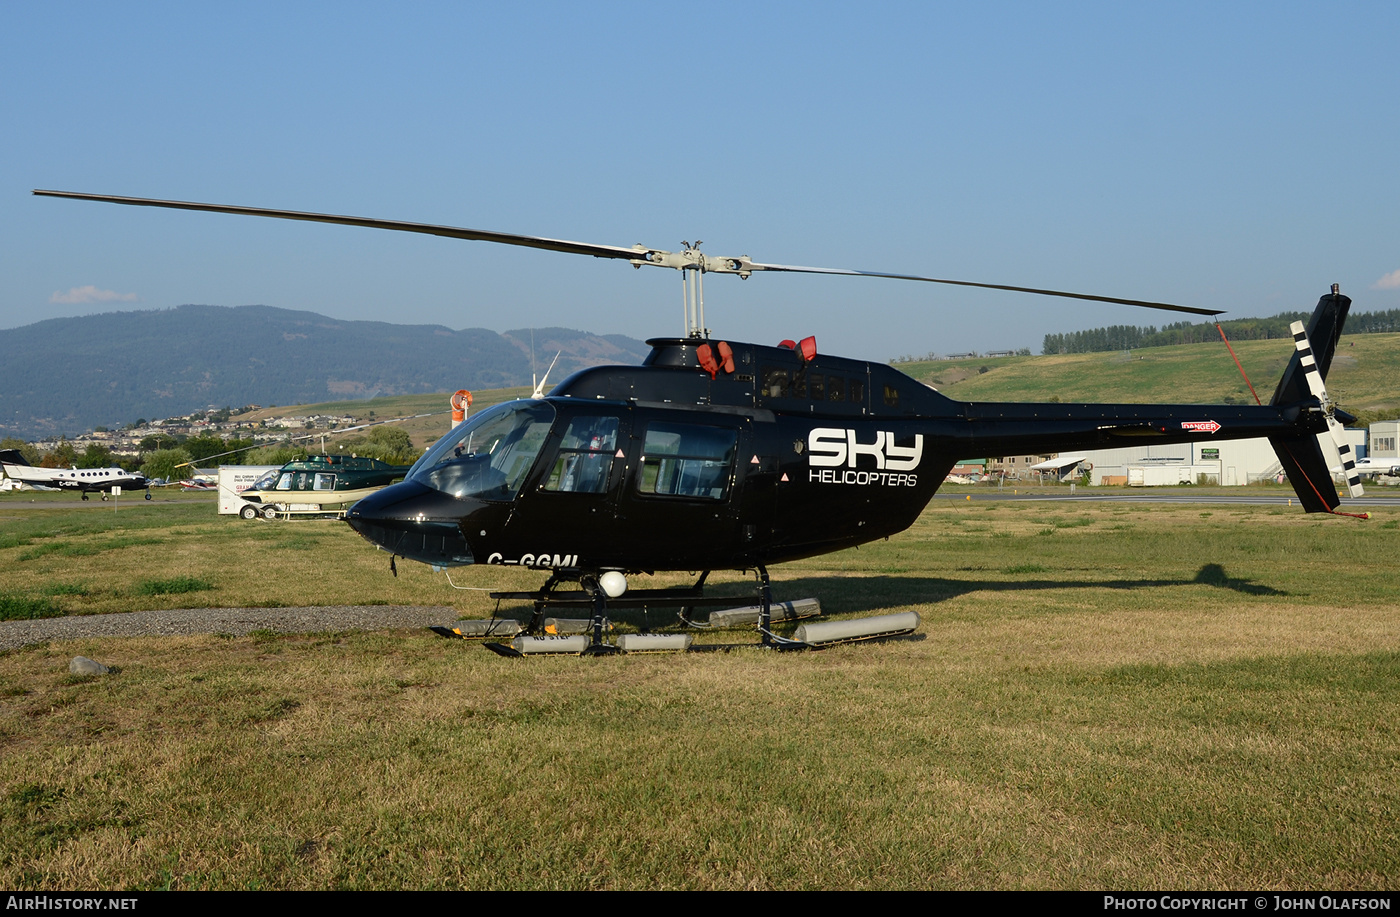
(328, 482)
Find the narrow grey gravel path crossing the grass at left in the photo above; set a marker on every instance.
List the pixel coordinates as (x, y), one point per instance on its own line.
(223, 621)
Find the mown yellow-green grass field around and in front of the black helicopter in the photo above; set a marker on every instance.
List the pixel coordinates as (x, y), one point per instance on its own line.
(1100, 696)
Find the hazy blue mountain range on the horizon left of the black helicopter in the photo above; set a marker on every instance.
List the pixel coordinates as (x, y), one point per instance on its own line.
(66, 376)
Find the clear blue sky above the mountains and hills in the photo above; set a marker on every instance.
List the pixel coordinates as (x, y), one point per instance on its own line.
(1224, 156)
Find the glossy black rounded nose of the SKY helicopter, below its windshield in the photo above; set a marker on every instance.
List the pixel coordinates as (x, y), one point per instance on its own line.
(414, 521)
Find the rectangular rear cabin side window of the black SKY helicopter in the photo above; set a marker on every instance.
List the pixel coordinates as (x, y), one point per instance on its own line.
(688, 461)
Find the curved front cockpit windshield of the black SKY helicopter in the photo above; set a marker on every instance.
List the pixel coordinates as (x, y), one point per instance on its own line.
(489, 456)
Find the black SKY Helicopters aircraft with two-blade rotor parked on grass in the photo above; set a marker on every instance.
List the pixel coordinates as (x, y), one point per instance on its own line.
(726, 456)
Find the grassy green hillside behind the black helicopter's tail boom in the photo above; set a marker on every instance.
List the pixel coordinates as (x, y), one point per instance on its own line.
(1366, 376)
